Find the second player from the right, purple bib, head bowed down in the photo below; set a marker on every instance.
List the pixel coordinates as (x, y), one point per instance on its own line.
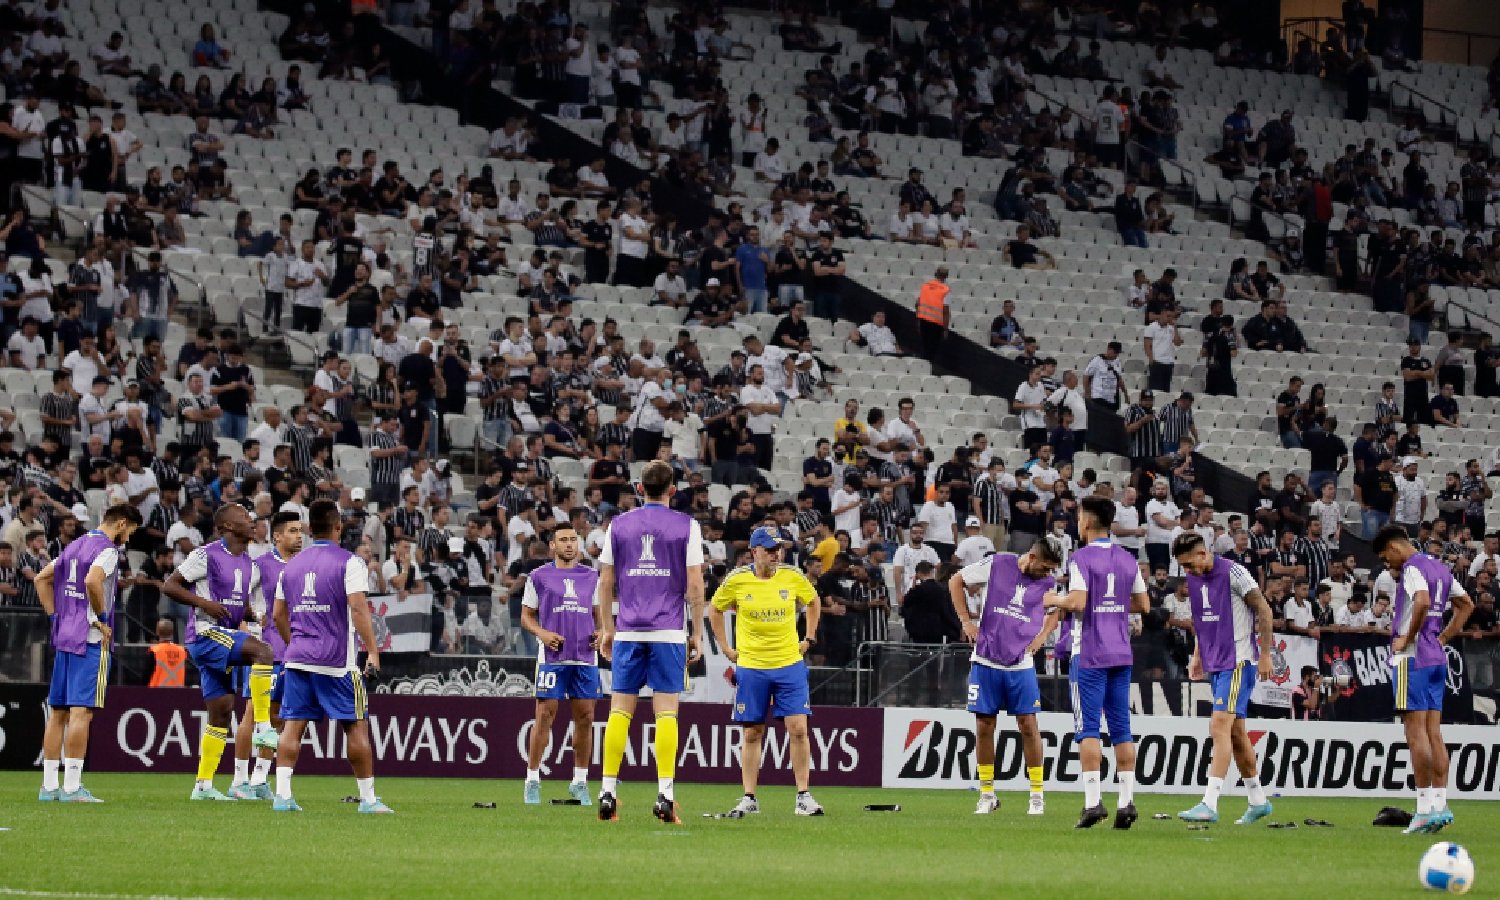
(1232, 622)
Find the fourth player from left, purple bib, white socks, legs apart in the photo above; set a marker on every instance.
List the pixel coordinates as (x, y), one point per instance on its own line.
(322, 601)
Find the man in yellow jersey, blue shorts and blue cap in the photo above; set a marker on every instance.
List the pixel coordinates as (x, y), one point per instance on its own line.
(770, 673)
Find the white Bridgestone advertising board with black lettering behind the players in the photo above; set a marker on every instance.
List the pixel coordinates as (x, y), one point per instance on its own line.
(935, 749)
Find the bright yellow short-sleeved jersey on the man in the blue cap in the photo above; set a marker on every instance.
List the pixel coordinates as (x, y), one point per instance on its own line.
(766, 614)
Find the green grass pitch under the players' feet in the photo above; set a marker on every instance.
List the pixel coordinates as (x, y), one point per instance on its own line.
(149, 841)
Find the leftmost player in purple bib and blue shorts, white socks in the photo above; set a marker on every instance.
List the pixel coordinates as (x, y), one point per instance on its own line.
(83, 634)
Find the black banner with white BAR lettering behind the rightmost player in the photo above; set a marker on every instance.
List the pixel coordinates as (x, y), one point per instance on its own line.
(1358, 668)
